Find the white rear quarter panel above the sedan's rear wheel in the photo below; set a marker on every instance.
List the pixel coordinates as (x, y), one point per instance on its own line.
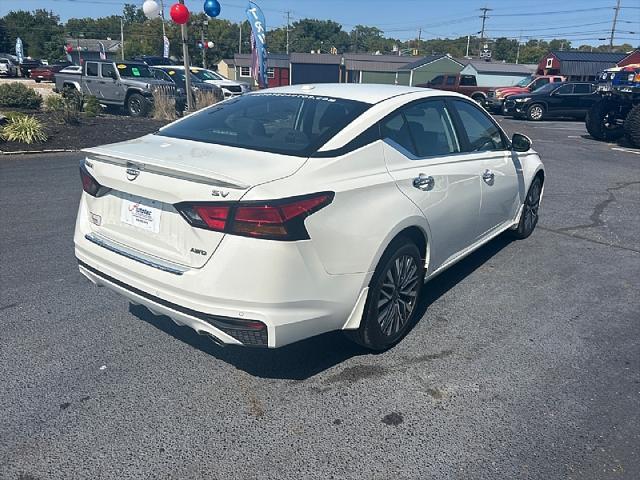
(368, 210)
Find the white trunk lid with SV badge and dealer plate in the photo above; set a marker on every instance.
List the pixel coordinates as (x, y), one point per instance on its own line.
(149, 175)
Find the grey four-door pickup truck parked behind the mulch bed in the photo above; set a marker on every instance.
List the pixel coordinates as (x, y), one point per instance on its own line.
(124, 84)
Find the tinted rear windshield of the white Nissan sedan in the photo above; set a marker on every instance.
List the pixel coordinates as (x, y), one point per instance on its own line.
(271, 122)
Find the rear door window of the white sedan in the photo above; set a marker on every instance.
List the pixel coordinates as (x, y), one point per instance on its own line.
(431, 129)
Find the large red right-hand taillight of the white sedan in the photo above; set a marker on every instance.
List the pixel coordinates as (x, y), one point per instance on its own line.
(271, 220)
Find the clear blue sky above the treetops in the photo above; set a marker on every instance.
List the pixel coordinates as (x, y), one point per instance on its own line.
(582, 21)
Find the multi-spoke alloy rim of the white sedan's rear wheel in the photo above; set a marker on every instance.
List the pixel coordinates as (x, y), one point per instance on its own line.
(398, 295)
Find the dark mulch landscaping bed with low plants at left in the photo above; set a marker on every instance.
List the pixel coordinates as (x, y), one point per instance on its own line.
(89, 133)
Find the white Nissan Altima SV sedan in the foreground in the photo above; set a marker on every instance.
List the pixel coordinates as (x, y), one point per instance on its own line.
(289, 212)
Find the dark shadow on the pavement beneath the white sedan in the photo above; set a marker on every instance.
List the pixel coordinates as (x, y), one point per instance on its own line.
(311, 356)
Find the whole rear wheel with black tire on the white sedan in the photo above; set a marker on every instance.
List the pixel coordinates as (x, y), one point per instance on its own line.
(397, 282)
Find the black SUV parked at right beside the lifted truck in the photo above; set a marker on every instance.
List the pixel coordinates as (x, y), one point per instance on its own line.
(568, 99)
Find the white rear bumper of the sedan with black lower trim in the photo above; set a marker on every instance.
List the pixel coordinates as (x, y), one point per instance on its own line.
(247, 282)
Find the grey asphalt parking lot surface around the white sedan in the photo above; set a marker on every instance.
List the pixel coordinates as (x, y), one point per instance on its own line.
(525, 365)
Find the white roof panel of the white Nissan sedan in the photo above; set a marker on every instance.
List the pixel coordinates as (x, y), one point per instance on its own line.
(368, 93)
